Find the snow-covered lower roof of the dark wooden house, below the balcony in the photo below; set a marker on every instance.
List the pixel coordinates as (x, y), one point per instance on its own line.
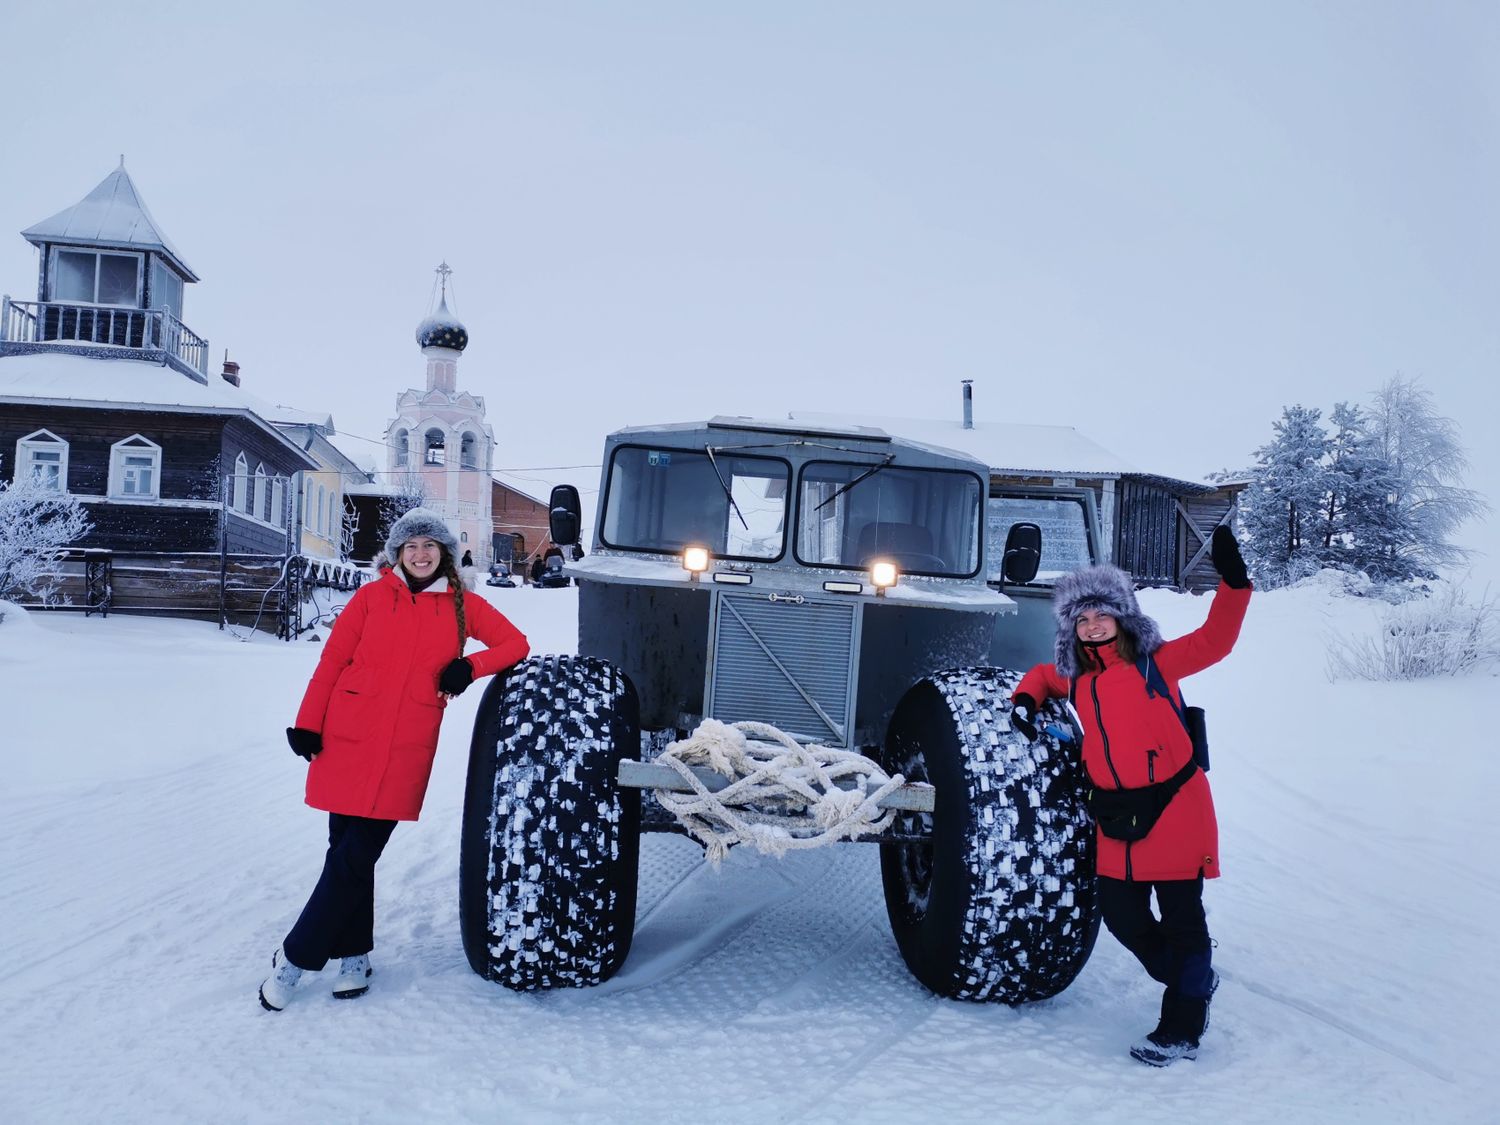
(71, 380)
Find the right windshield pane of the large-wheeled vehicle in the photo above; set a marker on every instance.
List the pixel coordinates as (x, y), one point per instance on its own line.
(926, 521)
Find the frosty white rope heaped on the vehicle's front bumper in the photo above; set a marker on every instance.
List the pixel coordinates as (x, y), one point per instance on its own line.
(784, 796)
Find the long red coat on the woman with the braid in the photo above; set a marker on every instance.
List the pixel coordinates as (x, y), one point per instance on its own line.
(374, 695)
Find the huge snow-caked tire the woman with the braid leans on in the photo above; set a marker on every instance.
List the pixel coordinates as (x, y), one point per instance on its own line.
(550, 854)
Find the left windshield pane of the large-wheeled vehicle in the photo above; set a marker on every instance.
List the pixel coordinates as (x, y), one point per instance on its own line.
(667, 499)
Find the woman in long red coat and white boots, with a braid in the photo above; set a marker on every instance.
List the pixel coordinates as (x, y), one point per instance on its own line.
(368, 727)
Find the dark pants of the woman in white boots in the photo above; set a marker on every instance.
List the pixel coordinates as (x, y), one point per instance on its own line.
(340, 917)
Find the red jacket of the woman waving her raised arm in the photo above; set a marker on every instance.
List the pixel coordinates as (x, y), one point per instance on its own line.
(1144, 740)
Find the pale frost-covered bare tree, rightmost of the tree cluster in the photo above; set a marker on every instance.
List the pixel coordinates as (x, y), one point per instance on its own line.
(1426, 502)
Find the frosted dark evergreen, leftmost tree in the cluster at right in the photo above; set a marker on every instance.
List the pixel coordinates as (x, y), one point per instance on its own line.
(1282, 509)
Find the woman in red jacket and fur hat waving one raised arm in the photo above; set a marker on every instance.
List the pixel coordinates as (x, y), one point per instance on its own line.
(1133, 740)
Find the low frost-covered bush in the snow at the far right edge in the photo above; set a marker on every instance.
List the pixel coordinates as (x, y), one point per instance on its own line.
(1438, 637)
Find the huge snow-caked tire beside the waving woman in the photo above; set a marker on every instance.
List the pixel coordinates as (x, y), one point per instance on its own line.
(1003, 904)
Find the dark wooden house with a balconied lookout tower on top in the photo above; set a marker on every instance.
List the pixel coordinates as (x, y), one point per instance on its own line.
(106, 394)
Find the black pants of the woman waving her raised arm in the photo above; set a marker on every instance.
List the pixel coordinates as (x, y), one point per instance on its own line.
(1175, 949)
